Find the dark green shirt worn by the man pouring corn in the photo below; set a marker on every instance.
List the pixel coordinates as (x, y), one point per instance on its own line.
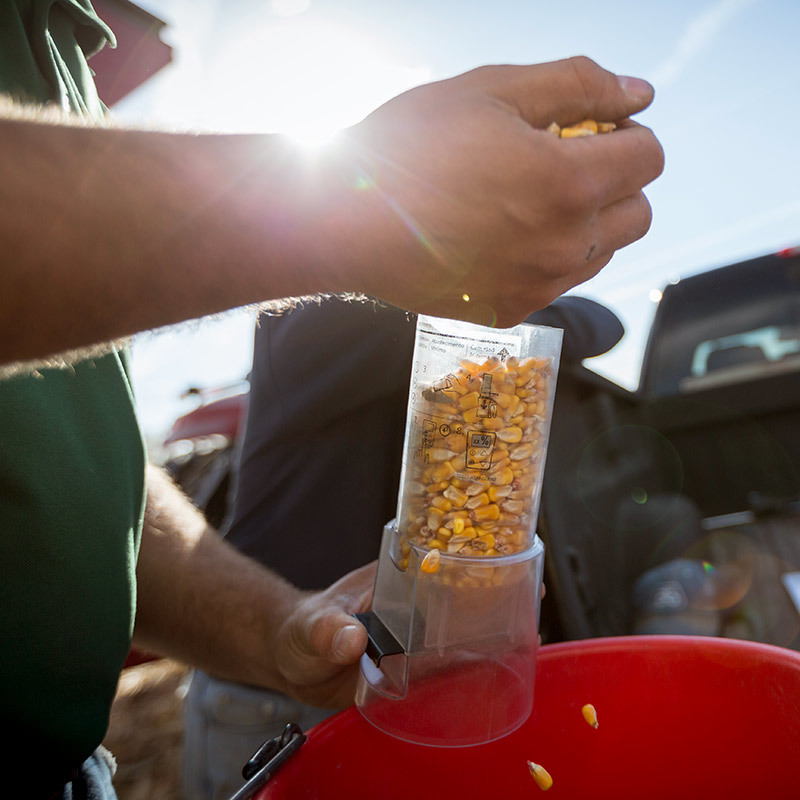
(71, 476)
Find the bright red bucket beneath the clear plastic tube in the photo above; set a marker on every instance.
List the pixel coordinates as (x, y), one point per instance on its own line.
(678, 716)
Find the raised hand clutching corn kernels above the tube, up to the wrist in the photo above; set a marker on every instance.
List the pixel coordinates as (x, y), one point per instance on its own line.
(469, 209)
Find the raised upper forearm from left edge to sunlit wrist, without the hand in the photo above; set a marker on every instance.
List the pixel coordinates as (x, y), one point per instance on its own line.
(107, 232)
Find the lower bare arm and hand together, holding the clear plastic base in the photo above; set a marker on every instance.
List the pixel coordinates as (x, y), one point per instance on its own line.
(203, 602)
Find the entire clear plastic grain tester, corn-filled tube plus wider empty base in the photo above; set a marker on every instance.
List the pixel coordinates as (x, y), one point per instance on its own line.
(453, 627)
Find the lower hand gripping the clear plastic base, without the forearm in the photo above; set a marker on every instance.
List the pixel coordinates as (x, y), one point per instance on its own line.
(318, 647)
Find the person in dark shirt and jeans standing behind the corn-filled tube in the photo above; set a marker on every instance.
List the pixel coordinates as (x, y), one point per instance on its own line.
(317, 478)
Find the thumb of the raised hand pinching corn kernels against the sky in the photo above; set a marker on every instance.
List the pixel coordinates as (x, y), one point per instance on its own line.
(570, 90)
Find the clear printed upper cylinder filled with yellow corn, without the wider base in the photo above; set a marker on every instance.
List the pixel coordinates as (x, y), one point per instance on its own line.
(478, 421)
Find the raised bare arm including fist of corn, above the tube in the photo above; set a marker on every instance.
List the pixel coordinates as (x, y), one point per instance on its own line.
(448, 190)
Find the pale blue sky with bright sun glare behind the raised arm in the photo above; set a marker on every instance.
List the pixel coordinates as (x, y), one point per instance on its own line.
(727, 84)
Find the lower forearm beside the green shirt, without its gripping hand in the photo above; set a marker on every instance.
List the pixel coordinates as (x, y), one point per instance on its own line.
(201, 601)
